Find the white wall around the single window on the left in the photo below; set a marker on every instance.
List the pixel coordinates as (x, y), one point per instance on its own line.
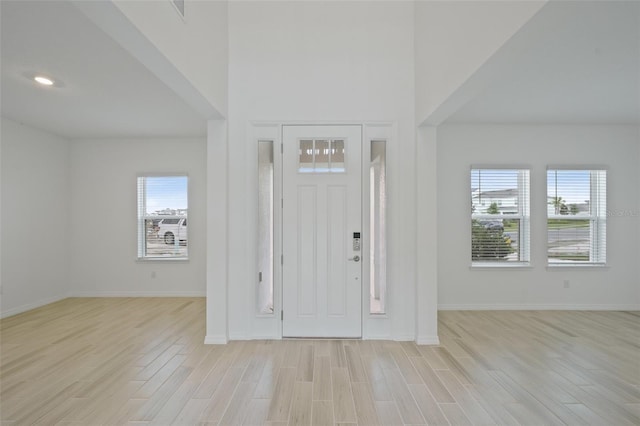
(103, 214)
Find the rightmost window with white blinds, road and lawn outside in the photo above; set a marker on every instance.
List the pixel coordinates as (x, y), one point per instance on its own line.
(576, 216)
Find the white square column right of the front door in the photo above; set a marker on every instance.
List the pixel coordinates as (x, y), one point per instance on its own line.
(427, 234)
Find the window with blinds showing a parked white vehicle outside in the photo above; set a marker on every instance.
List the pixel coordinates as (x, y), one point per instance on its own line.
(162, 217)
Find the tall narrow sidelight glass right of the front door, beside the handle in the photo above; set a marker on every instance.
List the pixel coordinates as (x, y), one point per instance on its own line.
(377, 231)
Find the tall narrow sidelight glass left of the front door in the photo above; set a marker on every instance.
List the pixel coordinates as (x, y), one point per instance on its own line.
(265, 228)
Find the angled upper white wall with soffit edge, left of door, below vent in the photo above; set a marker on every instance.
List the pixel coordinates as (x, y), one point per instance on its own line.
(189, 55)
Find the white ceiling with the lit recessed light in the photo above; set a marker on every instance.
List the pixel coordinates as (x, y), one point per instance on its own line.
(105, 92)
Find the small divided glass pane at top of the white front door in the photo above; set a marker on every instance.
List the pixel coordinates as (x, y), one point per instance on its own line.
(321, 156)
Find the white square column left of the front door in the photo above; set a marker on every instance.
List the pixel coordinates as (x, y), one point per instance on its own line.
(217, 234)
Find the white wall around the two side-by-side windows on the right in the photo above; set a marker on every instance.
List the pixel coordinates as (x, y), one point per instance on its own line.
(538, 287)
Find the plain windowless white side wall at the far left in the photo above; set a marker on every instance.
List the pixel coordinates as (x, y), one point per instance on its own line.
(35, 217)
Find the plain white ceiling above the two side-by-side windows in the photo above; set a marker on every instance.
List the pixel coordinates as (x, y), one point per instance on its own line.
(574, 62)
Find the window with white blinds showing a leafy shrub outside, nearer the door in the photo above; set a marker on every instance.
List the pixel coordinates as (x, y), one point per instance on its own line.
(500, 217)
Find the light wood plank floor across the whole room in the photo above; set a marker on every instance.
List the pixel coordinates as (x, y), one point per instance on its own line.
(119, 361)
